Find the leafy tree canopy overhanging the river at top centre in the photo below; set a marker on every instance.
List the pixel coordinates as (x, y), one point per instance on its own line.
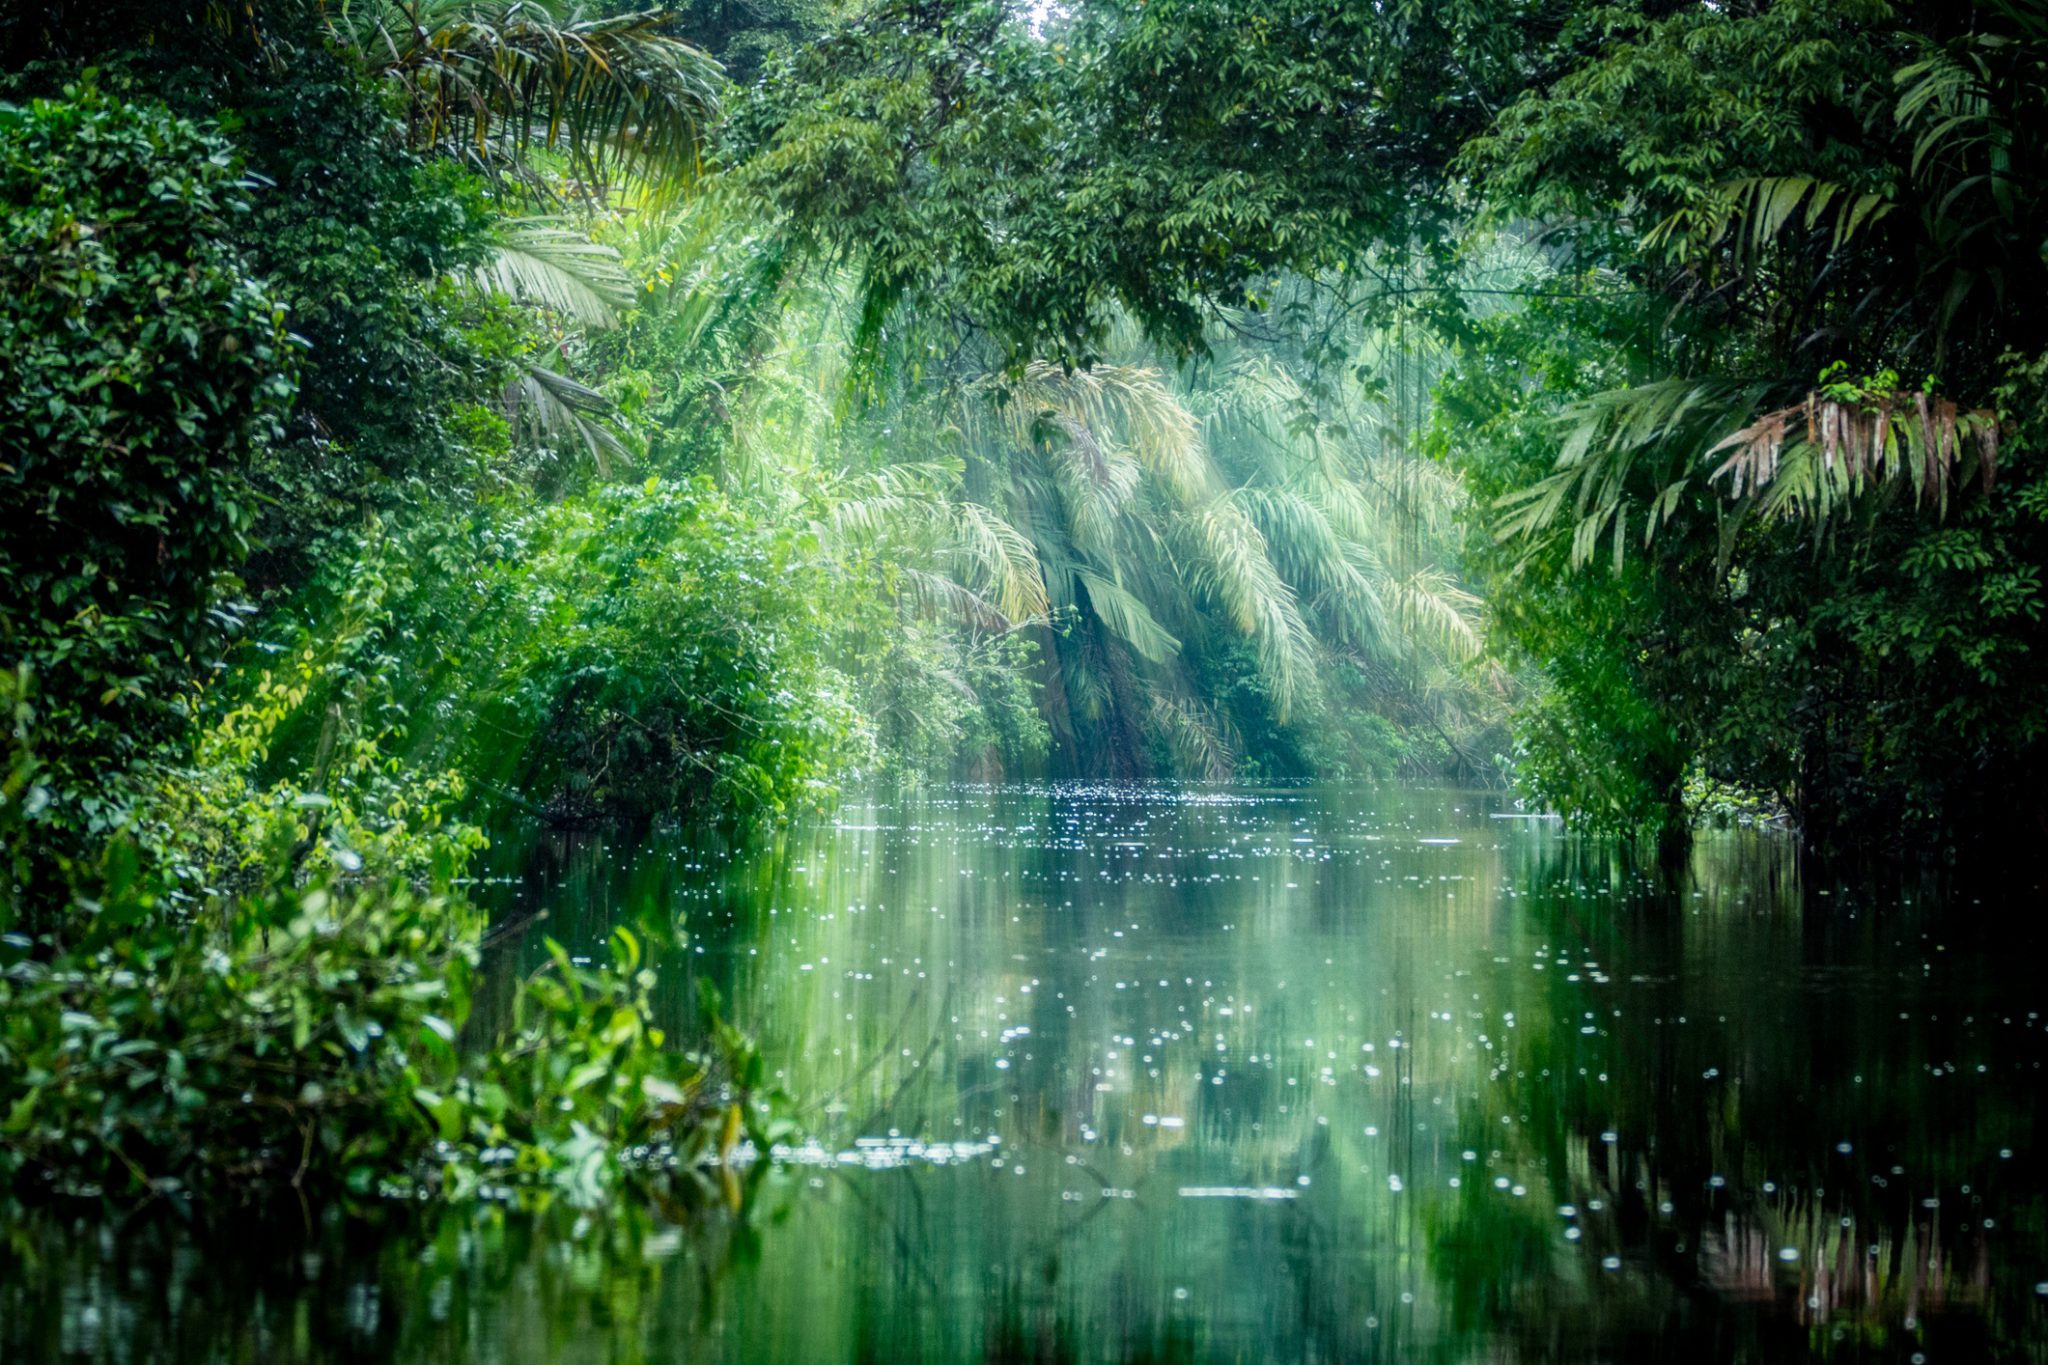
(1039, 173)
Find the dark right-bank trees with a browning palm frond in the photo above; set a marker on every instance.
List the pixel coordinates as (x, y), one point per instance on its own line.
(1752, 545)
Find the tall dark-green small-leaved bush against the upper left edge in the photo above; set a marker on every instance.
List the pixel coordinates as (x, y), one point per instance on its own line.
(140, 367)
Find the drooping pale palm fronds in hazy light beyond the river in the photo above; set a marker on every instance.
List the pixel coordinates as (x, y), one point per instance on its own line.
(1164, 535)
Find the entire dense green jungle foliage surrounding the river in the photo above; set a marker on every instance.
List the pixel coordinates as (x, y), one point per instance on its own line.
(431, 416)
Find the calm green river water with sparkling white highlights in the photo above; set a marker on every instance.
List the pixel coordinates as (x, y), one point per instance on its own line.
(1205, 1075)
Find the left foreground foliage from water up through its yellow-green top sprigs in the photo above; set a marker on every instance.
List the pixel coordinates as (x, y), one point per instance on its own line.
(312, 1020)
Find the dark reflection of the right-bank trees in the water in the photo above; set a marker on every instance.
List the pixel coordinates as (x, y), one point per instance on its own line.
(1779, 1186)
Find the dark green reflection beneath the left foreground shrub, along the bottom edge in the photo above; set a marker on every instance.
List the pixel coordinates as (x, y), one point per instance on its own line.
(370, 1284)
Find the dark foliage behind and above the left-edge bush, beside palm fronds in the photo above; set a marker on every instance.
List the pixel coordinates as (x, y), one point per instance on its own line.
(357, 234)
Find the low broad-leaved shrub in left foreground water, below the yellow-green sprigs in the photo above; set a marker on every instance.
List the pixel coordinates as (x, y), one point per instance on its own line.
(316, 1037)
